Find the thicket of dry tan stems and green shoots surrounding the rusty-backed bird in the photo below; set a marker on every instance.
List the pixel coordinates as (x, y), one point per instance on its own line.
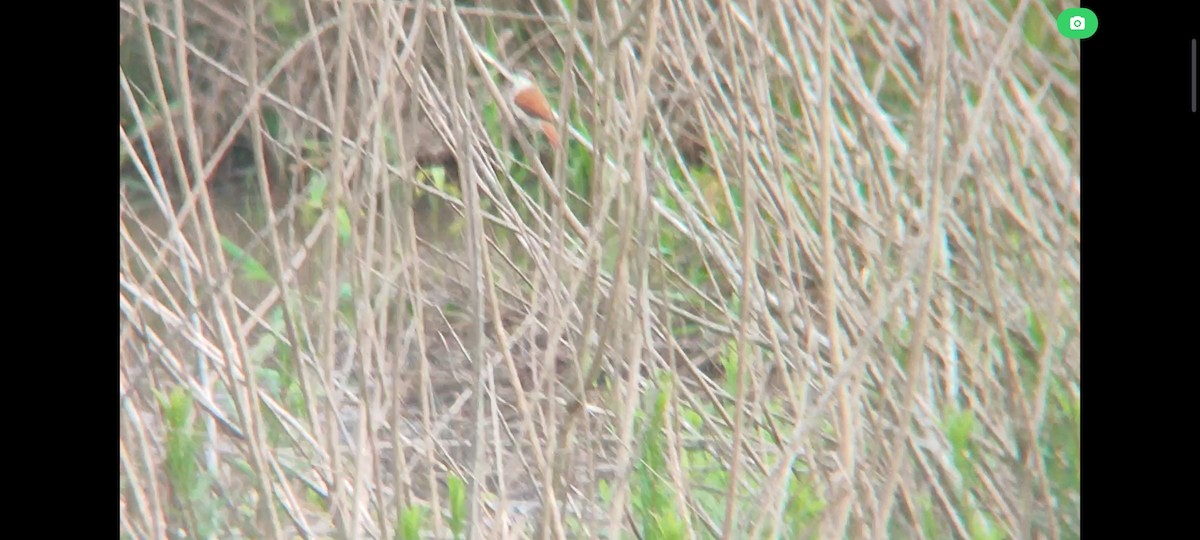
(338, 316)
